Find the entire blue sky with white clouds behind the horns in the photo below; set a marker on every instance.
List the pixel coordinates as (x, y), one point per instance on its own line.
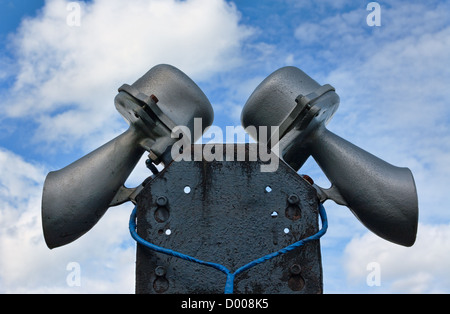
(58, 82)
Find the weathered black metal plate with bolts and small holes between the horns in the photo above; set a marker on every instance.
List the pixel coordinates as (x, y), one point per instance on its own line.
(231, 213)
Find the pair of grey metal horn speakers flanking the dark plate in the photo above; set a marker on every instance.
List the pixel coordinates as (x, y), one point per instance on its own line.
(383, 197)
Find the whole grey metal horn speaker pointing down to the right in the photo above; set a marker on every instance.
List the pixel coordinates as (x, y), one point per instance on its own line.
(383, 197)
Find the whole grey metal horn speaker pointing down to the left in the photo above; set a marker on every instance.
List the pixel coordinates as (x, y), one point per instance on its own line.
(76, 197)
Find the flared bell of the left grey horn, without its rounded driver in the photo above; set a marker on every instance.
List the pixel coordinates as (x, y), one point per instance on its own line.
(76, 197)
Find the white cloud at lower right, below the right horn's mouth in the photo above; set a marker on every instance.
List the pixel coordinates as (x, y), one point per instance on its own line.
(419, 269)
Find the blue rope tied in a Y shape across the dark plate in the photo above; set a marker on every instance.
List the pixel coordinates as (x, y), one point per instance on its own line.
(229, 286)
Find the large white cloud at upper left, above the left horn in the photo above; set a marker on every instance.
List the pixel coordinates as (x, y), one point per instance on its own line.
(67, 77)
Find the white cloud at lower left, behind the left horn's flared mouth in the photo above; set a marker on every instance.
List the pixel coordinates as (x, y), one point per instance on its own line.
(106, 255)
